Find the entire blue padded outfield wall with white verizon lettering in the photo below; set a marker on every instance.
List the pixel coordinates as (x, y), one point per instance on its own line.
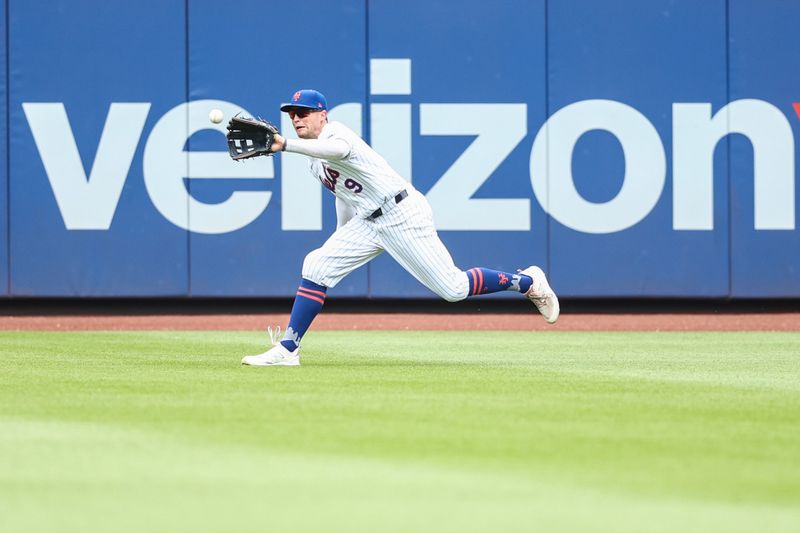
(631, 148)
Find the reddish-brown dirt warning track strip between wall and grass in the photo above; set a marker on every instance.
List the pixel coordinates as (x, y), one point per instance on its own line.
(787, 321)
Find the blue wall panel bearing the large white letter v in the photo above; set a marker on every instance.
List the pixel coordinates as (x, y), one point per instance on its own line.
(88, 84)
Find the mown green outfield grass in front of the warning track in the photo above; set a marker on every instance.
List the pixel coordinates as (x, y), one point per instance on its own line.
(401, 431)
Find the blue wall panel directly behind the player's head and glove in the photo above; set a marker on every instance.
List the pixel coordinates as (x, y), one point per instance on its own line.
(278, 215)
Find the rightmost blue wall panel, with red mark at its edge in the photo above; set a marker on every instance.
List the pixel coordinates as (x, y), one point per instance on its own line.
(764, 47)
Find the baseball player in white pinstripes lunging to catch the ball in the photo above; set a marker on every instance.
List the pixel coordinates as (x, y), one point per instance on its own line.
(377, 210)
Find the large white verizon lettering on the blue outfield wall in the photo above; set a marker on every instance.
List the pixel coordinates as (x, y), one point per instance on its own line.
(87, 200)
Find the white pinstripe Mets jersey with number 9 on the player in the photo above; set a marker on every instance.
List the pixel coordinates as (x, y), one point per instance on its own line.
(363, 179)
